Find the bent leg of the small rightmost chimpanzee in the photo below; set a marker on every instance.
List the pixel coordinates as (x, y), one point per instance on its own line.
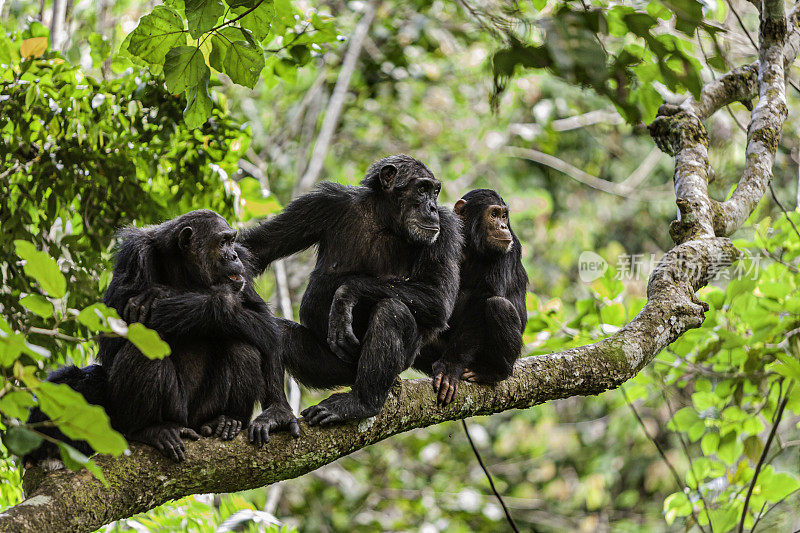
(495, 360)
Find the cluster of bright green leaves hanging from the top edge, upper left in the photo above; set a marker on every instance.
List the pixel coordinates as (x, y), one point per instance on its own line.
(244, 39)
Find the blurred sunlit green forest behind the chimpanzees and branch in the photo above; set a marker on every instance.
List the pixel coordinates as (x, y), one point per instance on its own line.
(90, 140)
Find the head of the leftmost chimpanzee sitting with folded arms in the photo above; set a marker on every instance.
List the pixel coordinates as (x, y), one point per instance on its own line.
(209, 244)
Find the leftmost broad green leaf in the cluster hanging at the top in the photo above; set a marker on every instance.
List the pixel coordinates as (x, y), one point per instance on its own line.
(156, 34)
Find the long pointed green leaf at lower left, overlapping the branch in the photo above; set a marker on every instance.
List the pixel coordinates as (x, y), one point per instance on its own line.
(76, 418)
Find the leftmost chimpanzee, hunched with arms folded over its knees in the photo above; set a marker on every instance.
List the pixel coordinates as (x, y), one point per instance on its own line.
(188, 280)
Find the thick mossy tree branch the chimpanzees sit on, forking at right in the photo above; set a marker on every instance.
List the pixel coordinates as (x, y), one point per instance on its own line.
(67, 501)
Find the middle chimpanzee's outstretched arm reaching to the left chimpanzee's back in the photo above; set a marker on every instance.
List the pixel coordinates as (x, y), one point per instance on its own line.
(301, 224)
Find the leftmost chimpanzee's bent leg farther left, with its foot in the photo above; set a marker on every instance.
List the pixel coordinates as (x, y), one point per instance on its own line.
(147, 402)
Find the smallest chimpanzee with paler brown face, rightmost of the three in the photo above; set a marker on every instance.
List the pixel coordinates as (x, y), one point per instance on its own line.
(484, 336)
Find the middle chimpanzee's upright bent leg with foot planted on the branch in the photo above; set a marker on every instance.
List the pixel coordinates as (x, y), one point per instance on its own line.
(388, 348)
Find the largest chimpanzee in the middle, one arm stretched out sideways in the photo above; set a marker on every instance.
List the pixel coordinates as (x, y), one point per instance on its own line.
(385, 282)
